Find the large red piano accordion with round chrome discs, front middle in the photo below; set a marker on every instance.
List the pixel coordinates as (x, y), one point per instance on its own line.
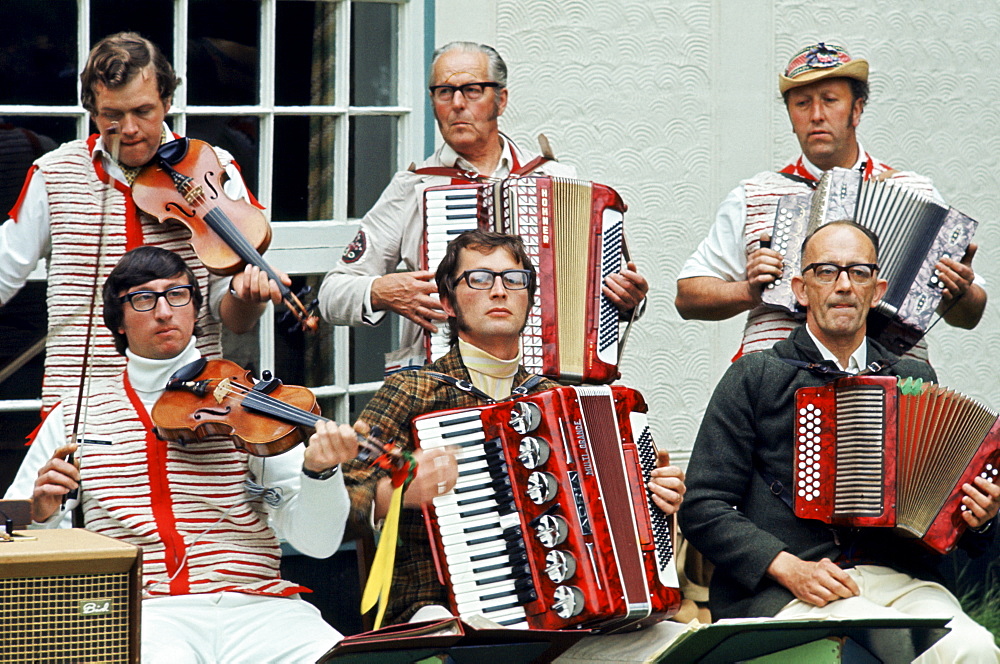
(550, 525)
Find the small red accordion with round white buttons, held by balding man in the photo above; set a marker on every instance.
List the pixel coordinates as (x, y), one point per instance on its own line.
(877, 451)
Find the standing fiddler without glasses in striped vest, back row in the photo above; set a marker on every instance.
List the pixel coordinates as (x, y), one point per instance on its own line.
(76, 210)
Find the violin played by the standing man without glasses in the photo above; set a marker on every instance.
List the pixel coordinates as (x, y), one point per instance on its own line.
(184, 183)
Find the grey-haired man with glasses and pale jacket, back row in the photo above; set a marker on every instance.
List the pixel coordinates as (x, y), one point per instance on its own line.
(468, 91)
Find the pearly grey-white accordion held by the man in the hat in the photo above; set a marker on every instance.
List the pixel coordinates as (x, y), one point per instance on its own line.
(914, 233)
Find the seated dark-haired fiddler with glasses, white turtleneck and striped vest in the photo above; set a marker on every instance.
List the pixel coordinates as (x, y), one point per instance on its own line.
(206, 515)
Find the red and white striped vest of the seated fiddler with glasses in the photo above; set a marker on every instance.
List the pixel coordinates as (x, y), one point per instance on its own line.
(172, 500)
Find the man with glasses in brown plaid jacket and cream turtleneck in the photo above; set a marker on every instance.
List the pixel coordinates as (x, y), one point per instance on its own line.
(487, 287)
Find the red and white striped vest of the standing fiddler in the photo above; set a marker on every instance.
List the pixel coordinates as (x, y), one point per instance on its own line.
(80, 204)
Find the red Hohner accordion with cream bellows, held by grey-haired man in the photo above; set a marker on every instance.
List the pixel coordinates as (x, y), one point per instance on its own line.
(573, 232)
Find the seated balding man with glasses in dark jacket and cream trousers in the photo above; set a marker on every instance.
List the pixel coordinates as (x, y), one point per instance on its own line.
(738, 509)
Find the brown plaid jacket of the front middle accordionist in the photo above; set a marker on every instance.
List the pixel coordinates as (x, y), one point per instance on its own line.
(404, 396)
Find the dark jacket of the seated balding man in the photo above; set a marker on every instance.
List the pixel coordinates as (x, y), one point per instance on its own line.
(729, 512)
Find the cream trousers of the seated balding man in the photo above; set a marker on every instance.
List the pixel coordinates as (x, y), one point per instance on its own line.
(886, 593)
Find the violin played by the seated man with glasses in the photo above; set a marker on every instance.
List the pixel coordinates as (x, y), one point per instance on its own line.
(264, 418)
